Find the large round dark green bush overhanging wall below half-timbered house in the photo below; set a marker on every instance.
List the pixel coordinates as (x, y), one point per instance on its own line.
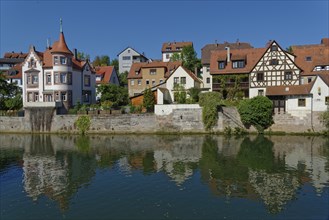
(257, 112)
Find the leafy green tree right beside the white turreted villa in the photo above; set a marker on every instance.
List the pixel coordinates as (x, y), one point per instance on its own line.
(116, 94)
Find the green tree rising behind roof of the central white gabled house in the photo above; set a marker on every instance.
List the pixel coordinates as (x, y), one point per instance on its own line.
(189, 58)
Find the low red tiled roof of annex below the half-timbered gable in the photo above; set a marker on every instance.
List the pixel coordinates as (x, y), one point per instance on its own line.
(289, 90)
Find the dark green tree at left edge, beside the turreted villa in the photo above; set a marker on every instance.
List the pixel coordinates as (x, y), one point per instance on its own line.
(10, 94)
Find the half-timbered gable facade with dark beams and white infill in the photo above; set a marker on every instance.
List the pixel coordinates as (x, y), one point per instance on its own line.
(275, 68)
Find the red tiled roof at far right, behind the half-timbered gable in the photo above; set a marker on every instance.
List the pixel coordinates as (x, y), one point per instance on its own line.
(319, 54)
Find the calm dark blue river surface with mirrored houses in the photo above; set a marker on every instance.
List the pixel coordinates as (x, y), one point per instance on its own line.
(163, 177)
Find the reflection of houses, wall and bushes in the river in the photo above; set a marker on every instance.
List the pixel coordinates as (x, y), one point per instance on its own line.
(271, 169)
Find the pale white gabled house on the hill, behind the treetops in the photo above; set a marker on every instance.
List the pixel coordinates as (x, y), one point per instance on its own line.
(127, 57)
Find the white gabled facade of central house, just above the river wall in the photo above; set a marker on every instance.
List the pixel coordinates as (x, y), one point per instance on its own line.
(181, 77)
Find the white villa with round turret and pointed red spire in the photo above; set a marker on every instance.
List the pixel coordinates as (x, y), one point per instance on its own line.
(56, 78)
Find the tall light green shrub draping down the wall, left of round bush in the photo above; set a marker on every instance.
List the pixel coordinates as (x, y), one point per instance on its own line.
(209, 102)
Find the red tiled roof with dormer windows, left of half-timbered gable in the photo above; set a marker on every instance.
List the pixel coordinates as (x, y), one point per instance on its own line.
(251, 56)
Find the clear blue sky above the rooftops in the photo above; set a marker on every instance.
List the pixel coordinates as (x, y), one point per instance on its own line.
(108, 27)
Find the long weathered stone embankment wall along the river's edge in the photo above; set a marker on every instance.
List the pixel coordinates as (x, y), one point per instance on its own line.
(180, 121)
